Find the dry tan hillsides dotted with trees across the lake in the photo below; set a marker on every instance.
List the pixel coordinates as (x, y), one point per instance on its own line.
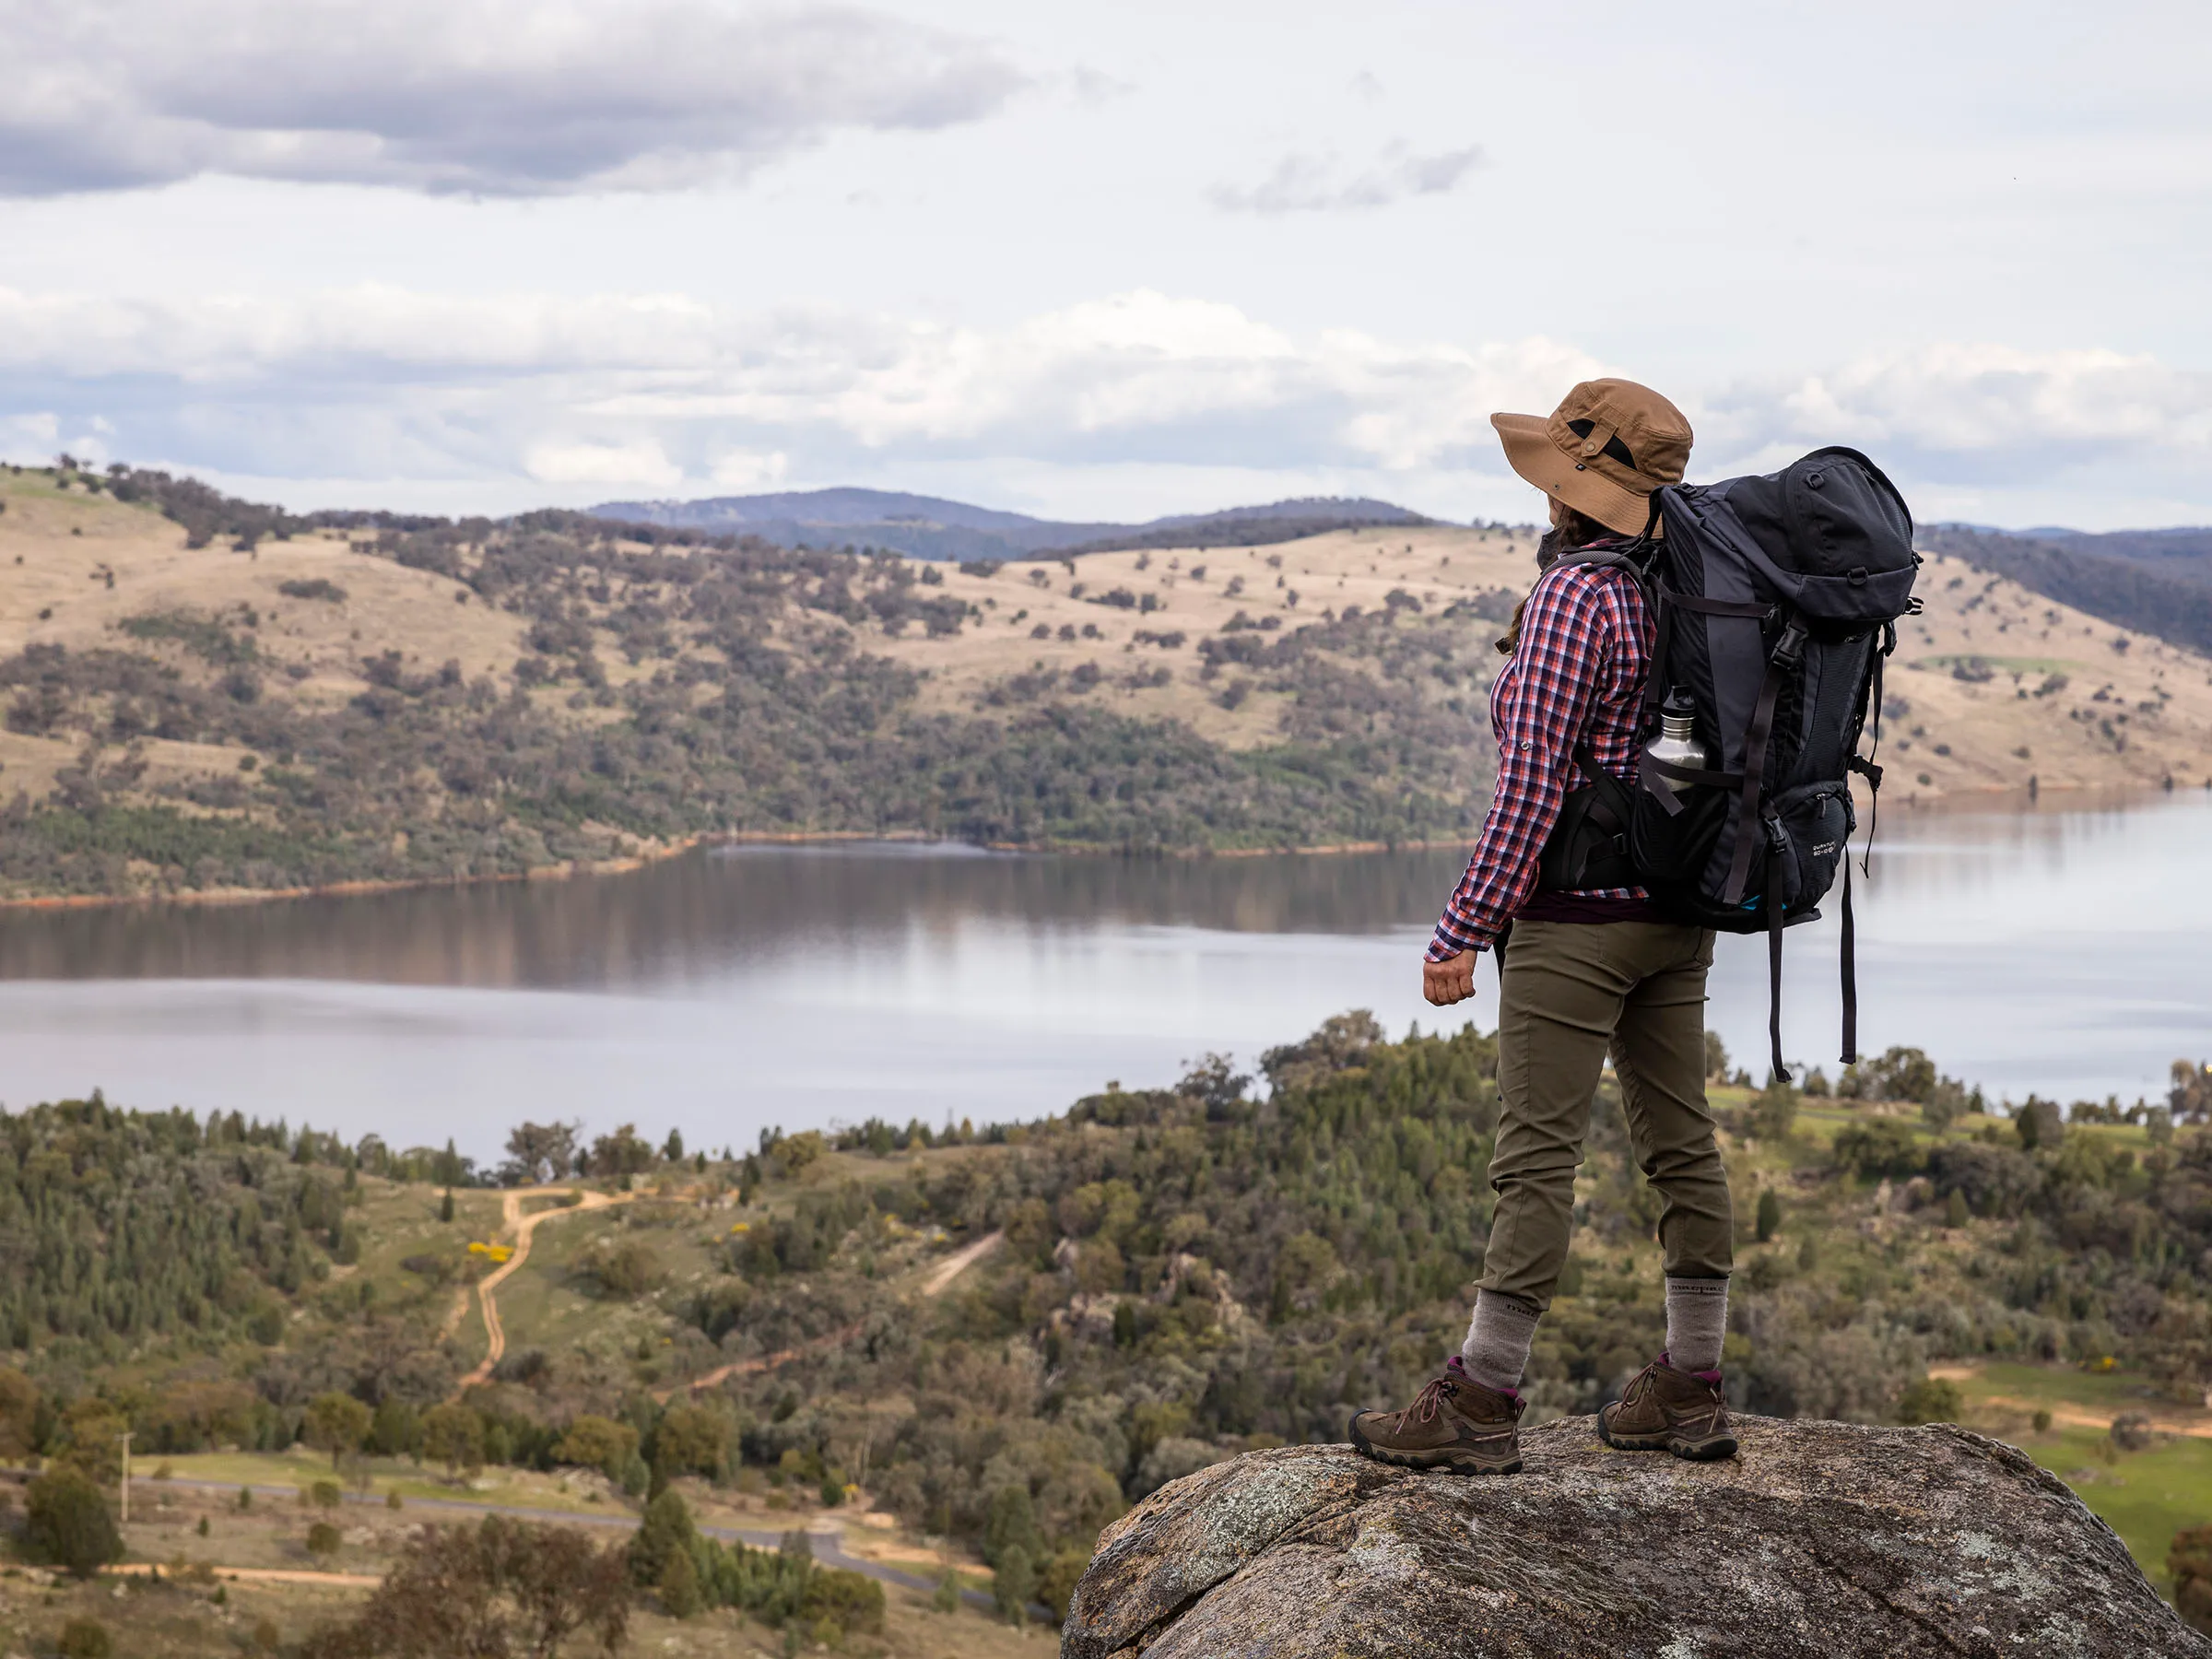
(200, 696)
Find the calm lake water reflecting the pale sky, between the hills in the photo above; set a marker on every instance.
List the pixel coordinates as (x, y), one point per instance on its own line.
(2054, 950)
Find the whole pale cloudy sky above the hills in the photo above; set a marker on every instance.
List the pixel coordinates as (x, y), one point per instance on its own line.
(1105, 262)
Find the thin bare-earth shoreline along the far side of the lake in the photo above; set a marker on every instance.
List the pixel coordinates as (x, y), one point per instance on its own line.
(2076, 800)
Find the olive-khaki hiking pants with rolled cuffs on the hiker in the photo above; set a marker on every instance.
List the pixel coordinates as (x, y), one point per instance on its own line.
(1572, 992)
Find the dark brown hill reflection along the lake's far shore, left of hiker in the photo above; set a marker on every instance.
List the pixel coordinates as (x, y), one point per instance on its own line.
(693, 919)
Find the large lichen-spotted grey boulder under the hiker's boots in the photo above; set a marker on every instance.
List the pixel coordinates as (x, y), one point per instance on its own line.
(1819, 1538)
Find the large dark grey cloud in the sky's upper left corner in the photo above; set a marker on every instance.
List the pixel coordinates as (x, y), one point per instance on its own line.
(461, 96)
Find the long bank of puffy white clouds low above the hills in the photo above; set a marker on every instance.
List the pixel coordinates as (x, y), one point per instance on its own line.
(671, 395)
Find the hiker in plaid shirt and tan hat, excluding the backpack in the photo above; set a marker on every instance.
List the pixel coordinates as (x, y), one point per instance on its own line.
(1587, 968)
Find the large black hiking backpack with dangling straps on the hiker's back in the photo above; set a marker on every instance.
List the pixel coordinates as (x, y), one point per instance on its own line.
(1775, 605)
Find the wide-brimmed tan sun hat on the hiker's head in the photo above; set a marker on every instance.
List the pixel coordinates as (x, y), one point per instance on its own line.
(1603, 452)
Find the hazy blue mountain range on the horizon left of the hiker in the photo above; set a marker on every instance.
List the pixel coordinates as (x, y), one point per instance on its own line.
(943, 530)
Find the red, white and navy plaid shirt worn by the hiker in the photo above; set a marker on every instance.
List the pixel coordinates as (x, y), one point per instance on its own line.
(1576, 678)
